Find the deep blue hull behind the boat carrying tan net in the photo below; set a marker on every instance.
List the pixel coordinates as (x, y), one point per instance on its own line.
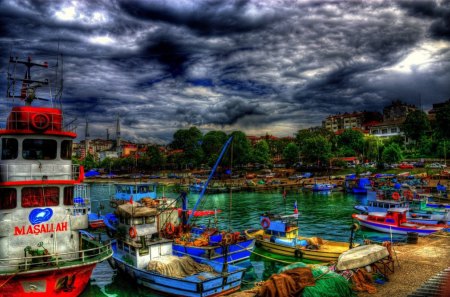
(236, 252)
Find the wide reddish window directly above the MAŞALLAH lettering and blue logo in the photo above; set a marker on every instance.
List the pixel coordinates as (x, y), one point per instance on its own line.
(39, 197)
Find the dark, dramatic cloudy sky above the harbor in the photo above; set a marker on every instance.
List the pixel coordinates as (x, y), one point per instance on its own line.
(259, 66)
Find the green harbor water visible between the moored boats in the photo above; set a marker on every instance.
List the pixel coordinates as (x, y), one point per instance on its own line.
(327, 215)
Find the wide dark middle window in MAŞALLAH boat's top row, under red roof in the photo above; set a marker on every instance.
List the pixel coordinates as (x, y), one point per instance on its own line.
(39, 149)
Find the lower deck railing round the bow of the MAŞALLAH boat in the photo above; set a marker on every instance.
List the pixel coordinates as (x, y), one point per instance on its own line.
(59, 260)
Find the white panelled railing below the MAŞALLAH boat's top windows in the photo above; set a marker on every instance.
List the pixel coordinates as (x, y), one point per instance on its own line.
(38, 171)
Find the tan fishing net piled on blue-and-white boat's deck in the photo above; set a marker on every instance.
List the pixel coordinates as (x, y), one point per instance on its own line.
(177, 266)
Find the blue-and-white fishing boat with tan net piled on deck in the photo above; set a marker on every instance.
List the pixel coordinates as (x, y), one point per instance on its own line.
(141, 253)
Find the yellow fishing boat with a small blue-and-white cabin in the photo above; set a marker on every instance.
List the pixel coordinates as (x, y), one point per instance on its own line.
(279, 235)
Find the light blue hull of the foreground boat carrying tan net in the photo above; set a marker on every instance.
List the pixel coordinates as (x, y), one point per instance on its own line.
(205, 284)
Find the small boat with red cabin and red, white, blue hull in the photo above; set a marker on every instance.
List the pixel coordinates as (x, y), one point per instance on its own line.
(394, 221)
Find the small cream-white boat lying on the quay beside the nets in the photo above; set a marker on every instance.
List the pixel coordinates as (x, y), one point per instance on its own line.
(361, 256)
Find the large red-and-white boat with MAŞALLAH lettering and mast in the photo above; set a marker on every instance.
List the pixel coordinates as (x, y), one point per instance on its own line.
(42, 251)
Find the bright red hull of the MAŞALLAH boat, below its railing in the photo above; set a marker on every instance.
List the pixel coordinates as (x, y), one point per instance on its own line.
(55, 282)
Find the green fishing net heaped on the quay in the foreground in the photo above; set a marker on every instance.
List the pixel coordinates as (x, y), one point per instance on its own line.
(327, 282)
